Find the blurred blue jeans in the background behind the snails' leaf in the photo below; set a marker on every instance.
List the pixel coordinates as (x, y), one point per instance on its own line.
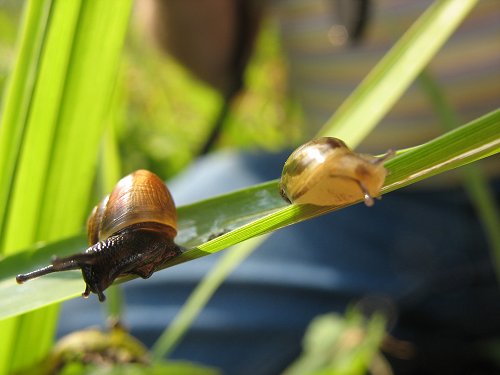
(419, 255)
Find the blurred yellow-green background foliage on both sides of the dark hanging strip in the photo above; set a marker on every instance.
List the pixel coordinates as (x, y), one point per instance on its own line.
(170, 113)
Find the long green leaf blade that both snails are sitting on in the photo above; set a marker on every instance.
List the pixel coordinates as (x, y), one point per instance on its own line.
(249, 213)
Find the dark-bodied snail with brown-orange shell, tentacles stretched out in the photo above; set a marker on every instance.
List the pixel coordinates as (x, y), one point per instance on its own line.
(131, 231)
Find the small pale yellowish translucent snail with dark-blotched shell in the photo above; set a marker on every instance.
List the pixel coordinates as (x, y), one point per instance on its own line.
(325, 172)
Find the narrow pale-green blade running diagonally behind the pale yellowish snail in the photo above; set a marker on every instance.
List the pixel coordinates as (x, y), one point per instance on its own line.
(389, 76)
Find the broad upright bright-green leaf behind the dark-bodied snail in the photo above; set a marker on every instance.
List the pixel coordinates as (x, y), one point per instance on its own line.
(72, 68)
